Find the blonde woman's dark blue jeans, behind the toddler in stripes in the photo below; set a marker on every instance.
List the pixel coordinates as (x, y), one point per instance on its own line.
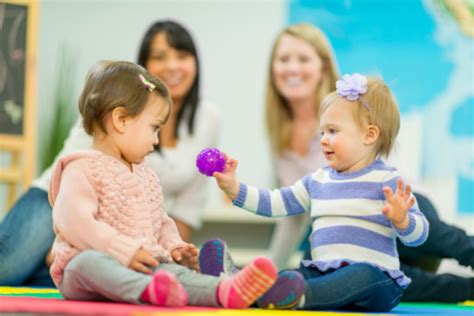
(420, 263)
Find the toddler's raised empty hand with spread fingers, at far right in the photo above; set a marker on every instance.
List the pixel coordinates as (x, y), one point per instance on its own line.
(397, 205)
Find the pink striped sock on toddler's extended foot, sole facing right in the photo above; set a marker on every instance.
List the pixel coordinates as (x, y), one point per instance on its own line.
(248, 285)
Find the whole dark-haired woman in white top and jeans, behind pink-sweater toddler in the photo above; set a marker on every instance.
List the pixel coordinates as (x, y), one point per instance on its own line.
(168, 52)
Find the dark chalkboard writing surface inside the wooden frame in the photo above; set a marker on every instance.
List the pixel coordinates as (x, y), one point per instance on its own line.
(13, 26)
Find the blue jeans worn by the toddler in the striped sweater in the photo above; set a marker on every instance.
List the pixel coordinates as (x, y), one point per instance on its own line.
(357, 287)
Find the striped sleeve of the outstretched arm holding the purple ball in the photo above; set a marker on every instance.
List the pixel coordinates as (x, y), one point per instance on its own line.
(281, 202)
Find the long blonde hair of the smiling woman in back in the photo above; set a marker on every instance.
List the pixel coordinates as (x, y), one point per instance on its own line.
(277, 111)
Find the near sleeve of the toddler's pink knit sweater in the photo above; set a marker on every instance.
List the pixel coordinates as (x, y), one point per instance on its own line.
(74, 217)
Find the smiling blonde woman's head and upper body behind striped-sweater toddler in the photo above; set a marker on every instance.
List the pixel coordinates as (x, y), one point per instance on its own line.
(302, 72)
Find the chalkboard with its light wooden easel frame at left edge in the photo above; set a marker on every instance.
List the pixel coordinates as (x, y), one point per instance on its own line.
(18, 86)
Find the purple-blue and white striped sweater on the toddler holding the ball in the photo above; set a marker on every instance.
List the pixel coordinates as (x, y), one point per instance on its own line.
(349, 226)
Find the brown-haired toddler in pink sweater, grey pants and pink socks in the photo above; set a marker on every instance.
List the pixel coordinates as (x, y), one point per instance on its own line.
(114, 240)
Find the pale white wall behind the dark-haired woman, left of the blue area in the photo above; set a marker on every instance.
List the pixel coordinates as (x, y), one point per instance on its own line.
(233, 37)
